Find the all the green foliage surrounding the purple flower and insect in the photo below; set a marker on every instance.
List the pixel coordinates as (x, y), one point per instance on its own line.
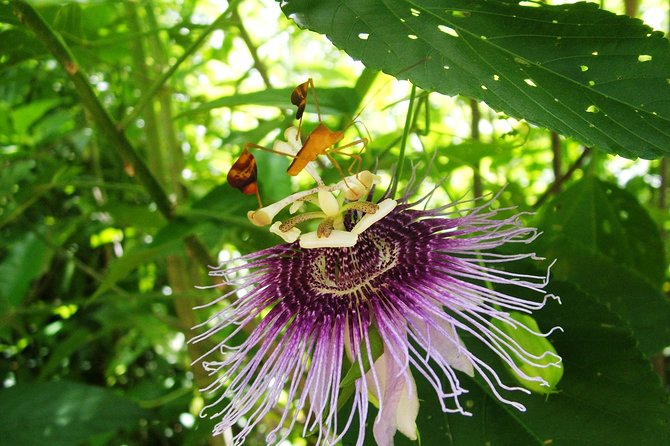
(119, 121)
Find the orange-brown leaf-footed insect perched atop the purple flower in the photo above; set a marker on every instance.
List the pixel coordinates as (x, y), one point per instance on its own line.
(321, 141)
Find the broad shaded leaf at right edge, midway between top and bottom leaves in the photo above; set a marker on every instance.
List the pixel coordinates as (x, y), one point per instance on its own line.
(606, 244)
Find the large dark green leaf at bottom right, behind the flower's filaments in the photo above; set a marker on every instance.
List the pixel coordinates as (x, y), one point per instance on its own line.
(609, 396)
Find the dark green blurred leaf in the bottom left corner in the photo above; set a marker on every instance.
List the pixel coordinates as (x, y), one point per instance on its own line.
(61, 413)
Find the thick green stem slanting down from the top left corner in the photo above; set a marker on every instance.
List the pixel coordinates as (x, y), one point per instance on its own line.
(57, 47)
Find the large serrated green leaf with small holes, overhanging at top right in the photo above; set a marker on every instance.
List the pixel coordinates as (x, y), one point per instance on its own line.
(578, 70)
